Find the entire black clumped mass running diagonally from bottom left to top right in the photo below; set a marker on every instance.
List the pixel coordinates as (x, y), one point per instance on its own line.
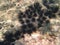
(34, 17)
